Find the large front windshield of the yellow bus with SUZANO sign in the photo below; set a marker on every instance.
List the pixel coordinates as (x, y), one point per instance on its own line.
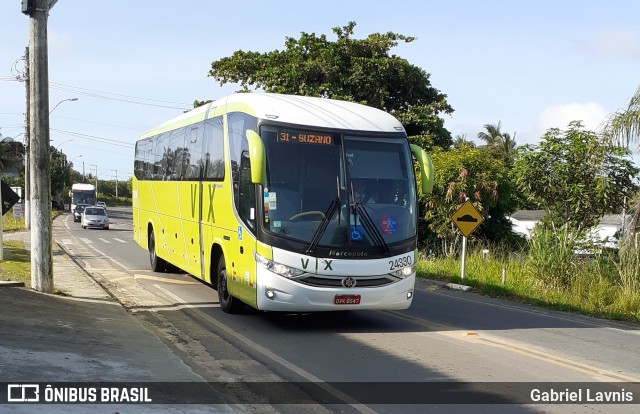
(332, 190)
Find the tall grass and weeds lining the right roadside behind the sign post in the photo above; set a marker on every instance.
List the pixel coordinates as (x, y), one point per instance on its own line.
(603, 285)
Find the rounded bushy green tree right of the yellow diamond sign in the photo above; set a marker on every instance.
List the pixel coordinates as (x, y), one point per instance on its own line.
(575, 176)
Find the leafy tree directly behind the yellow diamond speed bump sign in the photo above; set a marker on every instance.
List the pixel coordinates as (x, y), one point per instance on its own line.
(467, 173)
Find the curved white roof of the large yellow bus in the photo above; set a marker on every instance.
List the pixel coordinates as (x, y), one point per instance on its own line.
(301, 110)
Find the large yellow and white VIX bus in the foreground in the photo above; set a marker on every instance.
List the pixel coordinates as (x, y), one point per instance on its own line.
(257, 194)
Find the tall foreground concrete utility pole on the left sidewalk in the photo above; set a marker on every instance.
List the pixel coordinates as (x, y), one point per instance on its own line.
(40, 179)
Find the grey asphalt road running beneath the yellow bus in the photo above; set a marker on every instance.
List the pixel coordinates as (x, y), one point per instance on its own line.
(447, 336)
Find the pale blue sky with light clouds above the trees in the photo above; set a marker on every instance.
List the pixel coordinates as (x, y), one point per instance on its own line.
(135, 64)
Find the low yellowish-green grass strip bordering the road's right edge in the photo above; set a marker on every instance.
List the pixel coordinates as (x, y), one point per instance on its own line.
(593, 286)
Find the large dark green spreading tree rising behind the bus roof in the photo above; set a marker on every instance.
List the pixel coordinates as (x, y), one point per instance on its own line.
(348, 69)
